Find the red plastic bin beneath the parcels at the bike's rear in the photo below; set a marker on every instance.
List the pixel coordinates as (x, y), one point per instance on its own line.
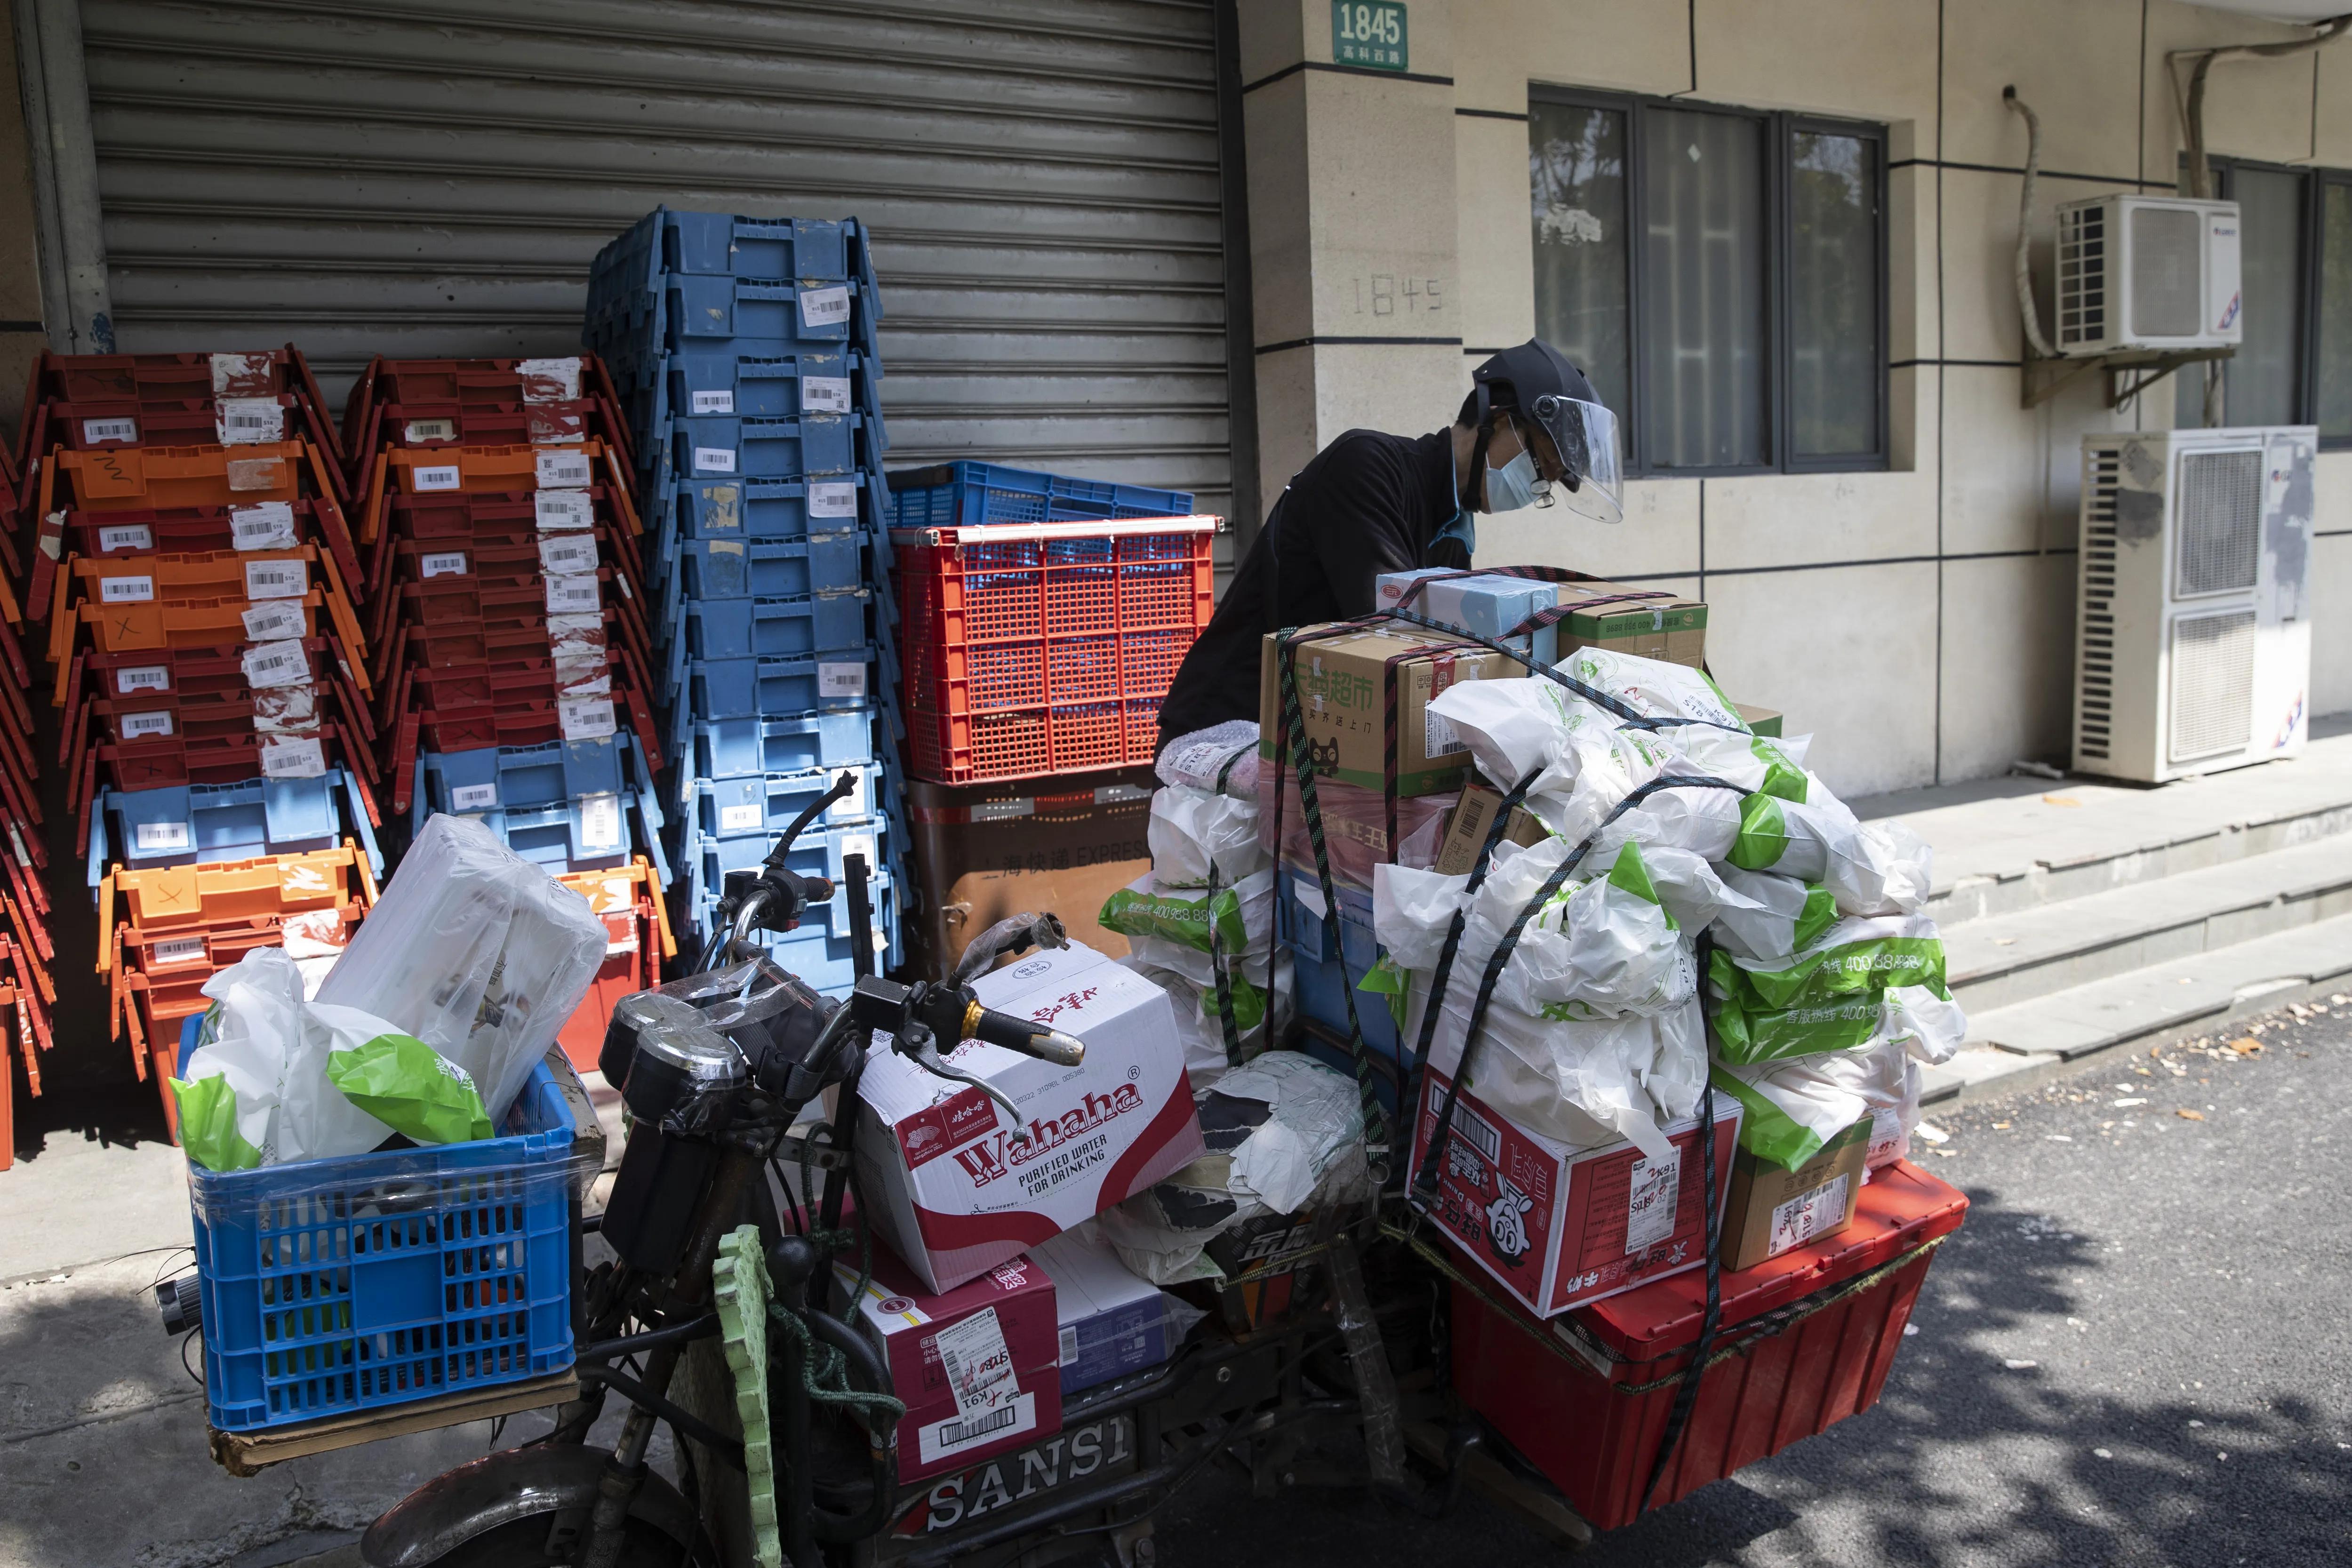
(1591, 1416)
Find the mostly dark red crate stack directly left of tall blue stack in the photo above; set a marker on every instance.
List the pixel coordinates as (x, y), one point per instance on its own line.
(495, 492)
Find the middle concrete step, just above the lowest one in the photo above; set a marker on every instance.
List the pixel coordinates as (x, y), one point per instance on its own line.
(2017, 958)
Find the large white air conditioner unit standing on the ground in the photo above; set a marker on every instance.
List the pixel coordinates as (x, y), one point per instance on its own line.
(2193, 641)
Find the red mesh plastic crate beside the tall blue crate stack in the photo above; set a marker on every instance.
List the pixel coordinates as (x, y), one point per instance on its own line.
(1045, 648)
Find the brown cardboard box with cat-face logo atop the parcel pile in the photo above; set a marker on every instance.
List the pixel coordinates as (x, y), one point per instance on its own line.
(1344, 702)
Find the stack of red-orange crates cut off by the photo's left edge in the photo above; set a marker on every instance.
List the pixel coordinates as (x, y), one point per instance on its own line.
(25, 897)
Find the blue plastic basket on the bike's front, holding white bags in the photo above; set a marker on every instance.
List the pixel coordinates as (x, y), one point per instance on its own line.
(373, 1280)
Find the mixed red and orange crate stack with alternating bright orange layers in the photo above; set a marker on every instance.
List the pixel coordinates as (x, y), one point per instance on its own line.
(194, 572)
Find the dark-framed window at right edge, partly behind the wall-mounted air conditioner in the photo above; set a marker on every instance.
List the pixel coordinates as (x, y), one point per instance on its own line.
(2294, 363)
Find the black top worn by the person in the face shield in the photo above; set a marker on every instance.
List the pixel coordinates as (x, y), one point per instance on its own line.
(1368, 504)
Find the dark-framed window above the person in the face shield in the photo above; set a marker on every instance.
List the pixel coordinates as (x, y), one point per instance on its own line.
(1720, 276)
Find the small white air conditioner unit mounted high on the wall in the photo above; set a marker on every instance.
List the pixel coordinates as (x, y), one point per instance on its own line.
(2149, 272)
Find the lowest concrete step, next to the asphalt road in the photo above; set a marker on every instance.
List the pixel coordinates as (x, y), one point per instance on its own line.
(2165, 1000)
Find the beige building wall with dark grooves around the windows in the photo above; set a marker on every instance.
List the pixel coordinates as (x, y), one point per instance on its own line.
(1916, 622)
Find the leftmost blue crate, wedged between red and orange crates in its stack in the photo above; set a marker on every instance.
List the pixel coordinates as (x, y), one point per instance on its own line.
(203, 824)
